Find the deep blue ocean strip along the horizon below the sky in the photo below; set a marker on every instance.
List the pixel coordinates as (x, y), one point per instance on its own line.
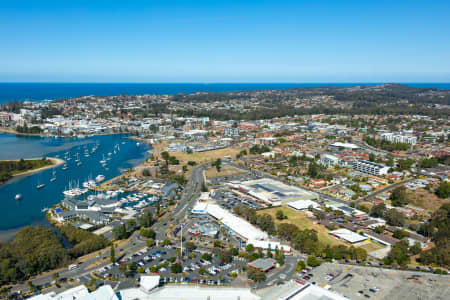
(51, 91)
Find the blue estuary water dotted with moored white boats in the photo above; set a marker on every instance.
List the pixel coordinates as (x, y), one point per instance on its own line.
(28, 210)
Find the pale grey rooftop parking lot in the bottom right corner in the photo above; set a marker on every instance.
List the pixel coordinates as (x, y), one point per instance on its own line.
(378, 283)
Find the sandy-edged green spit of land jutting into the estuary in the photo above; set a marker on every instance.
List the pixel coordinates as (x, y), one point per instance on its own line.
(25, 167)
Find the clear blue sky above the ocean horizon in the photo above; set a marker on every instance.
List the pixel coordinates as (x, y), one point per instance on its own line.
(225, 41)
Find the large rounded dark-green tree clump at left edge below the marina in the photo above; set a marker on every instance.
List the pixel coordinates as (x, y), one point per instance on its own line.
(32, 251)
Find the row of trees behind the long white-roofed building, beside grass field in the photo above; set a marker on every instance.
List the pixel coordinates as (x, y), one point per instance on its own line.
(306, 240)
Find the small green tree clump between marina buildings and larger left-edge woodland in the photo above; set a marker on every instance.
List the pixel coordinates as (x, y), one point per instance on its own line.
(83, 241)
